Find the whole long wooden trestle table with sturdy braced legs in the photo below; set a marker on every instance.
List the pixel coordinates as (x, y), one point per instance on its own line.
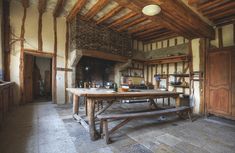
(94, 95)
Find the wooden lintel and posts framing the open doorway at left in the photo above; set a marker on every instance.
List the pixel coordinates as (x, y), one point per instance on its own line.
(53, 67)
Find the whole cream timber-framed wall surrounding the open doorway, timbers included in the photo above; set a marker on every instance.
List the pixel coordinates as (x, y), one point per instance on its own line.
(37, 46)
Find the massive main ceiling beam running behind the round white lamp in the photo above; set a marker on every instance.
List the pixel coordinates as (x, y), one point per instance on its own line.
(173, 7)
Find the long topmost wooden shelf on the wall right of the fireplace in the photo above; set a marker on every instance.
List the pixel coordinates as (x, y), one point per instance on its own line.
(171, 59)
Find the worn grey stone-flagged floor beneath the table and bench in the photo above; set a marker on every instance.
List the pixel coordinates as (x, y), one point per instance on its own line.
(48, 128)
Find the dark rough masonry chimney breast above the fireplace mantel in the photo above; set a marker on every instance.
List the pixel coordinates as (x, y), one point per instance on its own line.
(88, 35)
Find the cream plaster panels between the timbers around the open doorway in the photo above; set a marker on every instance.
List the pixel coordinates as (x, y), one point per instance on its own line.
(31, 41)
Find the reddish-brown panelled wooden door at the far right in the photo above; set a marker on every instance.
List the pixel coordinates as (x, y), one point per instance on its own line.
(219, 83)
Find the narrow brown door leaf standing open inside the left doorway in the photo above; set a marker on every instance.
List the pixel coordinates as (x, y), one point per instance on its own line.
(28, 78)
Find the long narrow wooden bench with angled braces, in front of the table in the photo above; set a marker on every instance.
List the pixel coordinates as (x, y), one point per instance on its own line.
(129, 116)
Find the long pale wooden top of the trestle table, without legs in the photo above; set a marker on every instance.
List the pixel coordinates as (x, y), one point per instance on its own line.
(98, 92)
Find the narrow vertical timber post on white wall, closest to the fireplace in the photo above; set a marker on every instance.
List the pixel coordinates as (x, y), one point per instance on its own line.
(66, 61)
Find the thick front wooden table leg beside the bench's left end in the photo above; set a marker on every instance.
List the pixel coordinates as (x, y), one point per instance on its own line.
(91, 119)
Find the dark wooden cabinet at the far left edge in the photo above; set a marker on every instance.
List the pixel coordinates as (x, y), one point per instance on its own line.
(6, 99)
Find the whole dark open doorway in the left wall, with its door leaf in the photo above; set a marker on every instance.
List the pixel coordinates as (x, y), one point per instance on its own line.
(37, 78)
